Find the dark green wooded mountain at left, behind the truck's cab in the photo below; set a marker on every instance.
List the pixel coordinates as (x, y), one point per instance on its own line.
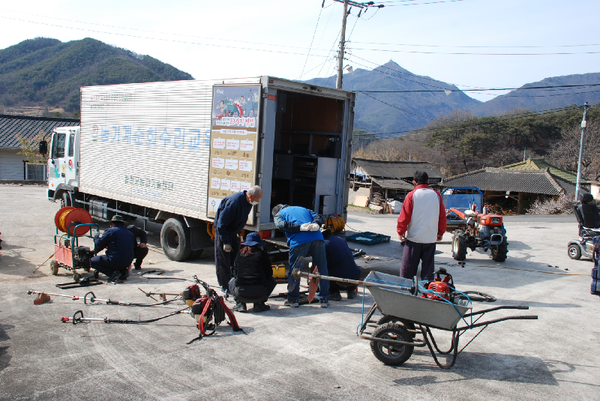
(47, 72)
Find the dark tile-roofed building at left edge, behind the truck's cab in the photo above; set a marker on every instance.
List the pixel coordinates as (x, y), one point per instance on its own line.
(14, 166)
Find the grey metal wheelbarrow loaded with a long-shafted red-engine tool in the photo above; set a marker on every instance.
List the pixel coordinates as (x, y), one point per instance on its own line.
(409, 315)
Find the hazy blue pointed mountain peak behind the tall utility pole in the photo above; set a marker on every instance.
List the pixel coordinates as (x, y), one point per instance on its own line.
(411, 102)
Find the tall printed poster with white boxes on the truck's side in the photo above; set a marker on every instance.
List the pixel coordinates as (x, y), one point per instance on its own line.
(233, 143)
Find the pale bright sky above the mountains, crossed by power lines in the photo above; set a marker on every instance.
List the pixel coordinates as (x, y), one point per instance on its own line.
(469, 43)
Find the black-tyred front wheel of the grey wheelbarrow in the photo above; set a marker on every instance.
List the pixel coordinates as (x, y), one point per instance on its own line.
(392, 354)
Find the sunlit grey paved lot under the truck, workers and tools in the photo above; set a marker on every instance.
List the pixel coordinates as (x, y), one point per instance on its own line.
(301, 354)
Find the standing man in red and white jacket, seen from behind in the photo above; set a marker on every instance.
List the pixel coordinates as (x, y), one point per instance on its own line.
(421, 223)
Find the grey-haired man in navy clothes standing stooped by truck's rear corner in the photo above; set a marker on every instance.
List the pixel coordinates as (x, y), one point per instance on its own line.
(230, 220)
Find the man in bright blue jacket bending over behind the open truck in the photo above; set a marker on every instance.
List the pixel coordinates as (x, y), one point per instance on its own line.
(301, 227)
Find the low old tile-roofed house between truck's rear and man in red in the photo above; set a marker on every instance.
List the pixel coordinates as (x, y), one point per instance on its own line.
(389, 179)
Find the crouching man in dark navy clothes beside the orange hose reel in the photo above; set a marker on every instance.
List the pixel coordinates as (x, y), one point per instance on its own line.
(120, 244)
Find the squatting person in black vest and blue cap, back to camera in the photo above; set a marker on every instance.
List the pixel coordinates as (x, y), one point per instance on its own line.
(252, 275)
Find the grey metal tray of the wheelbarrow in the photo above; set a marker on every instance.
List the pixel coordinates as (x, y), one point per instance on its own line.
(401, 304)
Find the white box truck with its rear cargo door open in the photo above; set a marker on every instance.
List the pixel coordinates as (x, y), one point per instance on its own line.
(170, 151)
